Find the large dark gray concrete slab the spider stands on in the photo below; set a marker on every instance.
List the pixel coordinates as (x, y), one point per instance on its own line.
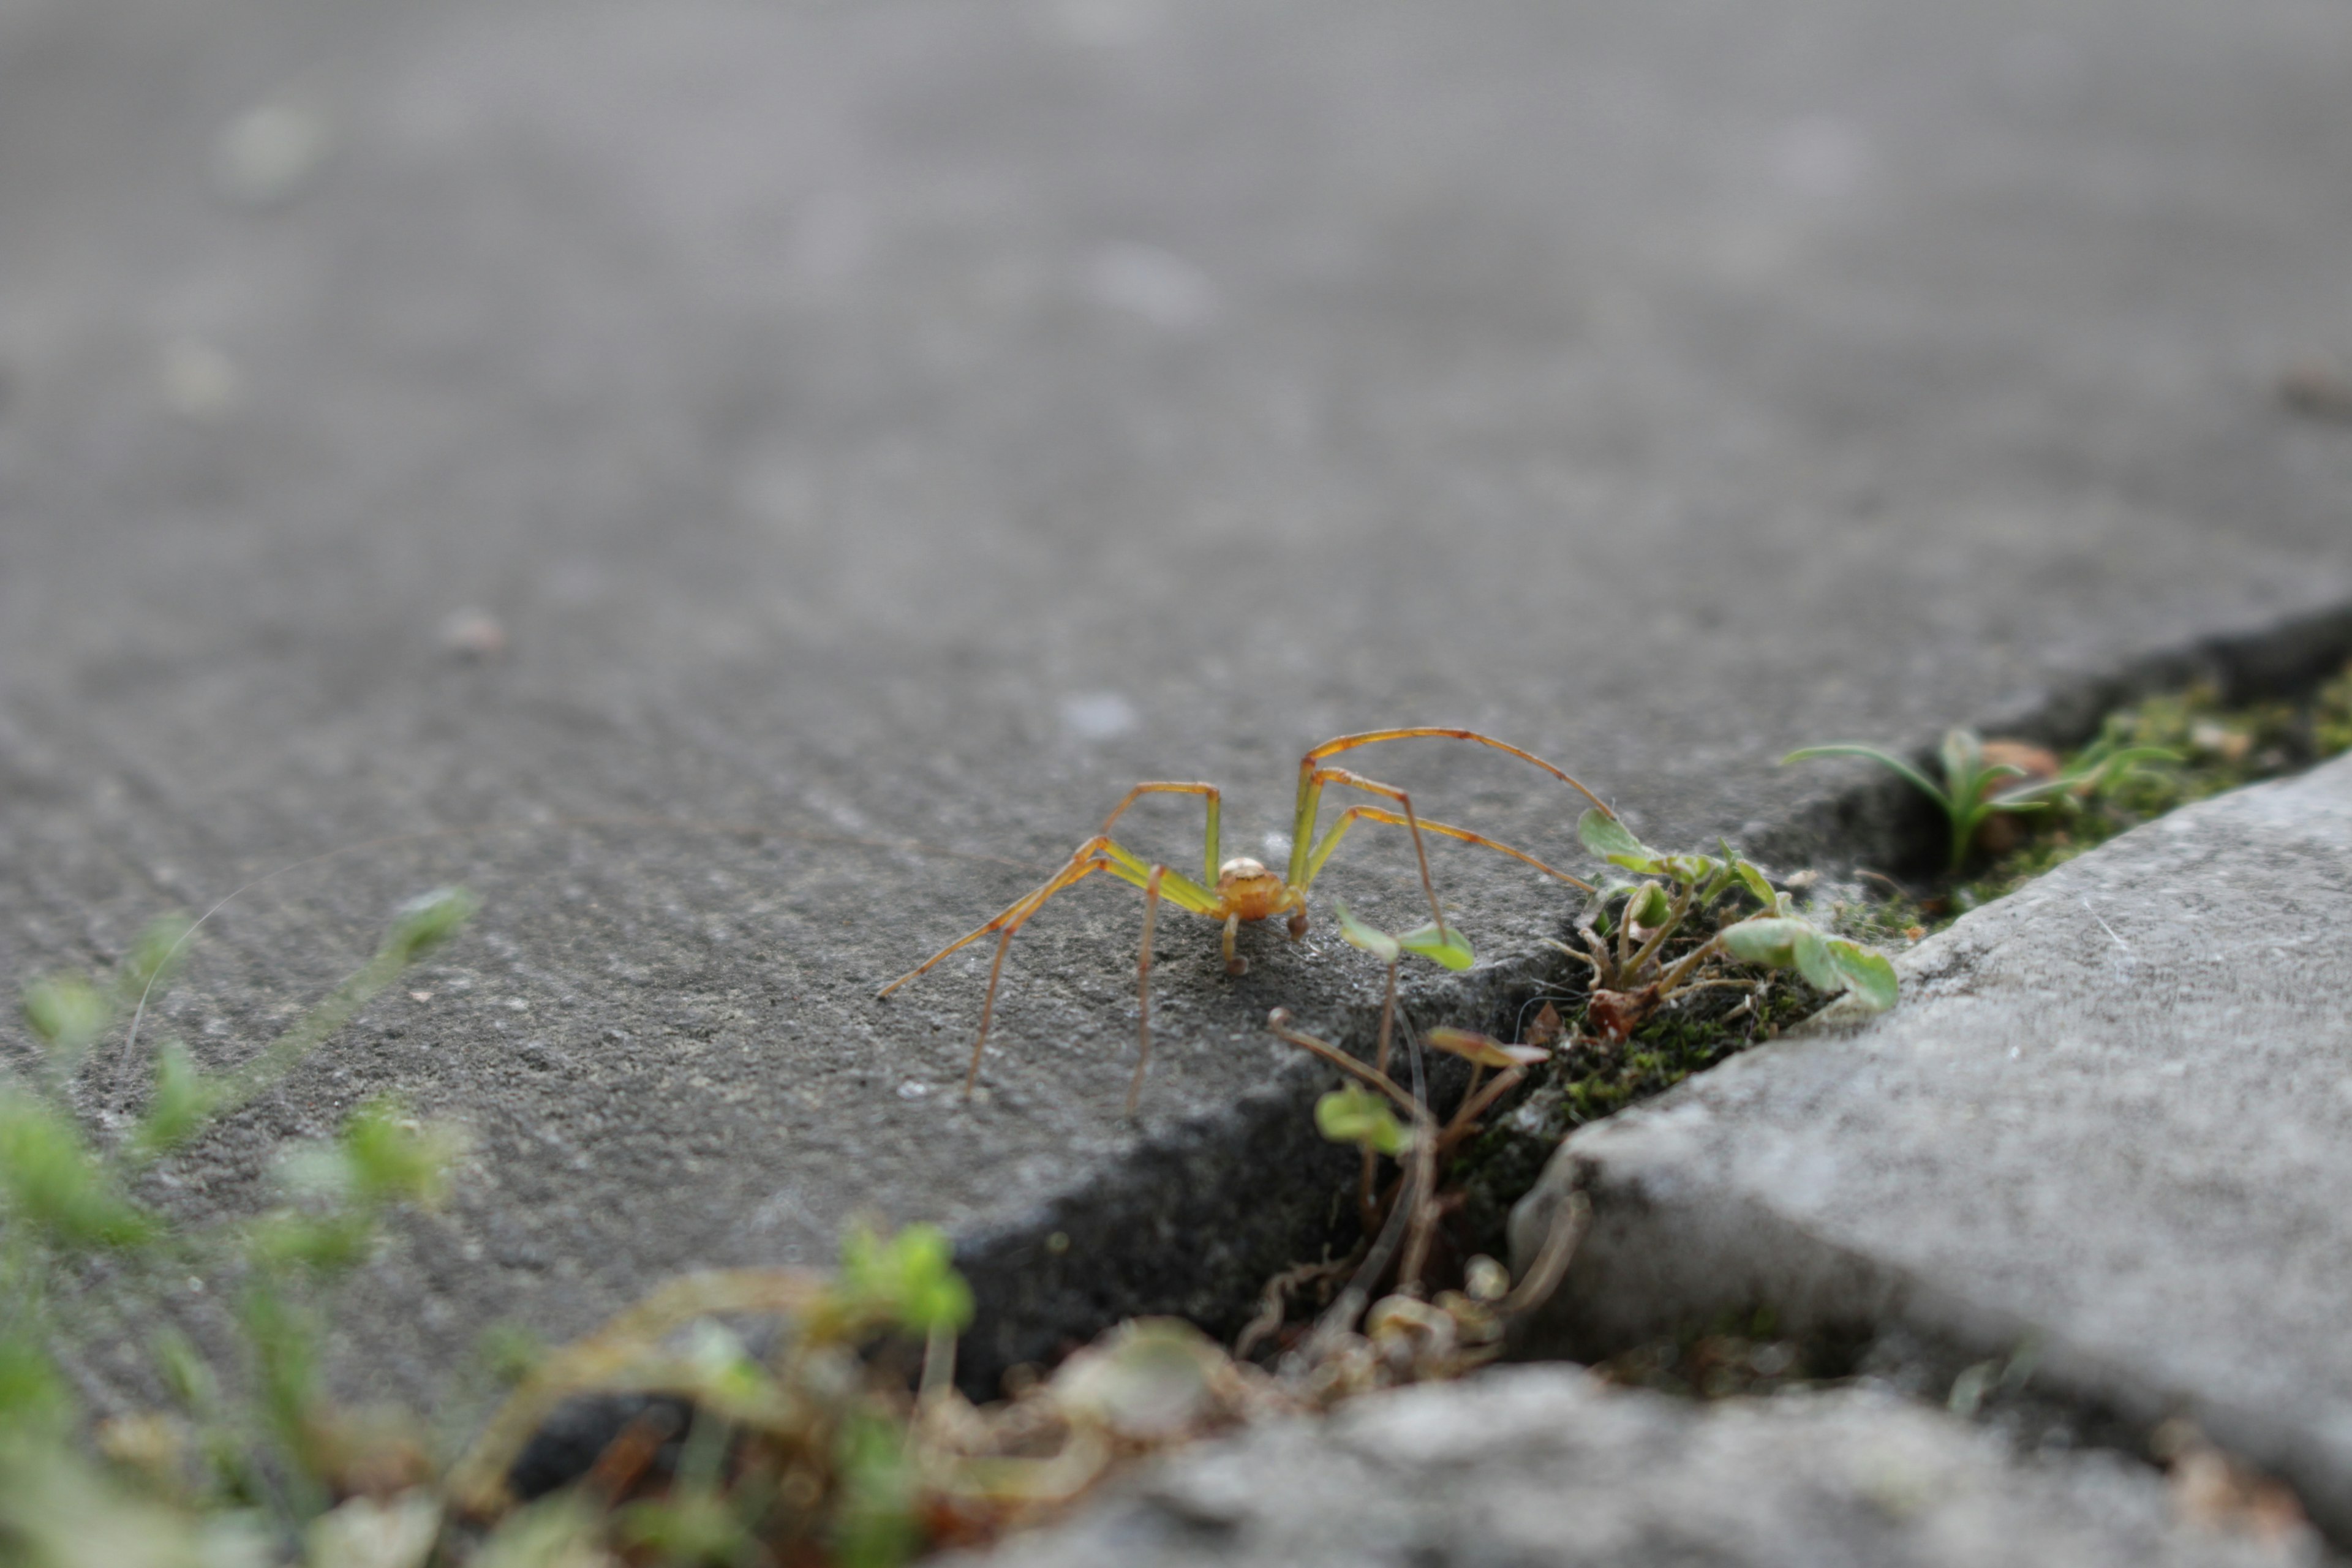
(918, 420)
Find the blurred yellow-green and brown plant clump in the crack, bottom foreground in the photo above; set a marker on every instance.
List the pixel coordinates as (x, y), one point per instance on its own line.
(820, 1452)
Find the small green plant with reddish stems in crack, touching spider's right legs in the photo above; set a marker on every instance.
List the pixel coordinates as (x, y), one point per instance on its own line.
(1633, 925)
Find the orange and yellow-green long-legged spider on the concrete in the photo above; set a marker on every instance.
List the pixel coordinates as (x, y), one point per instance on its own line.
(1241, 890)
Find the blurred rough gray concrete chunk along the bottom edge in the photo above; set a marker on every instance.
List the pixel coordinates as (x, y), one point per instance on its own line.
(1546, 1466)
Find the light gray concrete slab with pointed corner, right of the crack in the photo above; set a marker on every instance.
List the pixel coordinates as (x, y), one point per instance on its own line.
(2111, 1123)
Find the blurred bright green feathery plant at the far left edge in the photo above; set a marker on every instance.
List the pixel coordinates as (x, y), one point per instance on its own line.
(267, 1459)
